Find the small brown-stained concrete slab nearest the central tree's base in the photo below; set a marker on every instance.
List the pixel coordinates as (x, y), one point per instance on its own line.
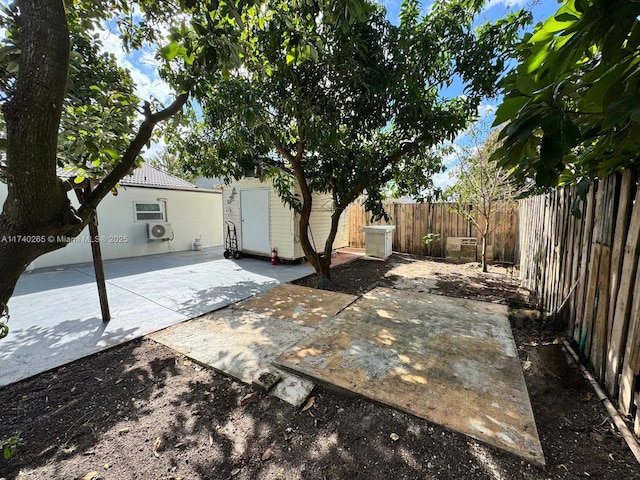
(302, 305)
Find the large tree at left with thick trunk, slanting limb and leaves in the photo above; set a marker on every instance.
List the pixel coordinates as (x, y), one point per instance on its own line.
(49, 74)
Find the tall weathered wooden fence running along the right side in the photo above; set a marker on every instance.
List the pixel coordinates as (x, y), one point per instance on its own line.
(586, 270)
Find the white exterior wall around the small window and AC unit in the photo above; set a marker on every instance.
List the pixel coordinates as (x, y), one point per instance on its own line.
(191, 213)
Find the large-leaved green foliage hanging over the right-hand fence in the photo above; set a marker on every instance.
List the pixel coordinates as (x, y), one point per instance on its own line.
(571, 106)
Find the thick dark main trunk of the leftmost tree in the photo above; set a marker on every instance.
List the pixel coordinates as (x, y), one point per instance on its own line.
(36, 209)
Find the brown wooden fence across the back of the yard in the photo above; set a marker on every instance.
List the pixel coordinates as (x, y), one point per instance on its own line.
(414, 221)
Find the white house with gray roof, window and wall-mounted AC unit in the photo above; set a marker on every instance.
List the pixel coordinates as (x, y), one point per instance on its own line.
(153, 212)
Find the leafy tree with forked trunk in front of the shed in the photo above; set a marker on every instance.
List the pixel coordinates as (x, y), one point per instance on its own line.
(345, 110)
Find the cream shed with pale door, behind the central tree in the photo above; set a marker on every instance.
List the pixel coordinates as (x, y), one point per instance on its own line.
(264, 222)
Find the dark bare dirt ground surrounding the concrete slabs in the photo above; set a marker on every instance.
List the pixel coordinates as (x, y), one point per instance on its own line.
(141, 411)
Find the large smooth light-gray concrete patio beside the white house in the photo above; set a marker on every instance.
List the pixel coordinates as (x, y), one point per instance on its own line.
(55, 313)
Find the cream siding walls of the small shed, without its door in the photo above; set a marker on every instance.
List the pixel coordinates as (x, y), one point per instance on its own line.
(284, 228)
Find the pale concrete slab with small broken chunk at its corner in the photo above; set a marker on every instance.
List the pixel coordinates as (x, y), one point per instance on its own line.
(242, 344)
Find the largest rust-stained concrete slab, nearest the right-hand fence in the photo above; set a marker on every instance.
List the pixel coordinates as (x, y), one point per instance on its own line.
(452, 361)
